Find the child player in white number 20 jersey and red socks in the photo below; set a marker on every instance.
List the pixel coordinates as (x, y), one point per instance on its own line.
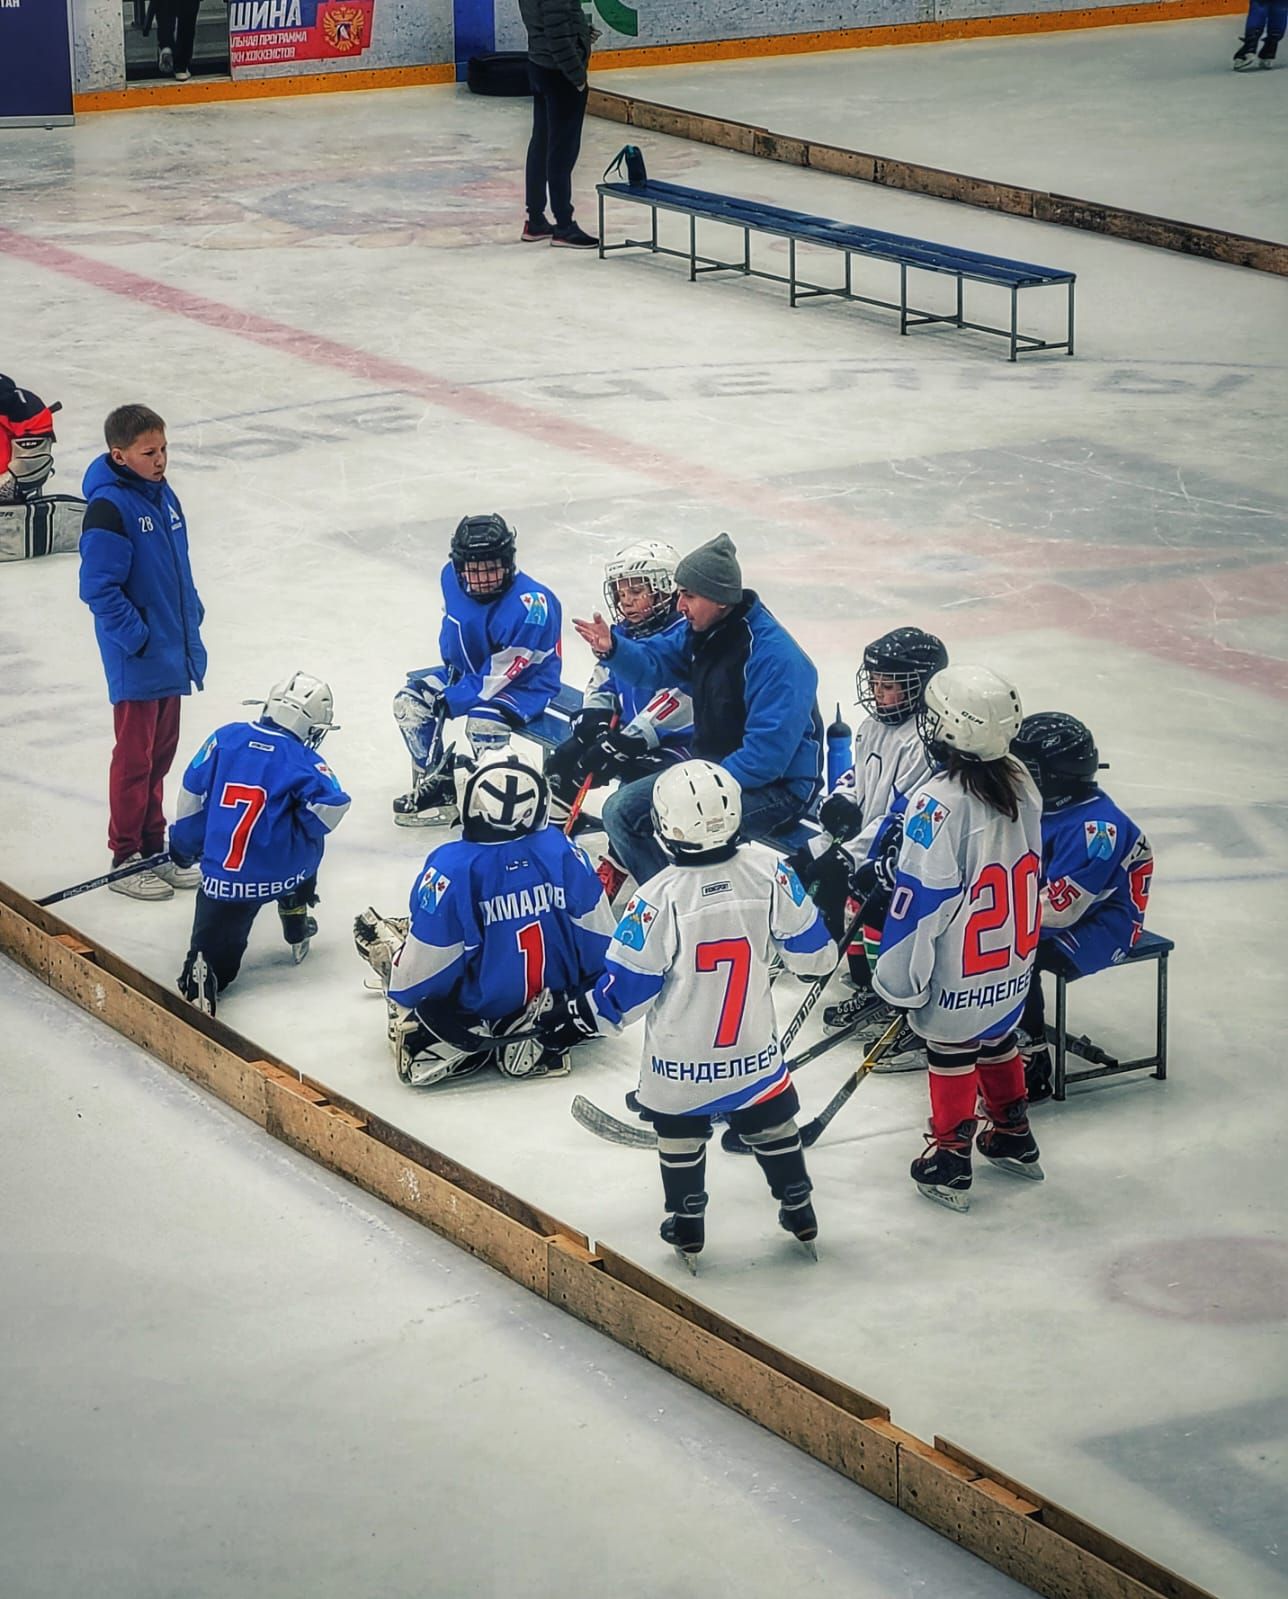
(961, 935)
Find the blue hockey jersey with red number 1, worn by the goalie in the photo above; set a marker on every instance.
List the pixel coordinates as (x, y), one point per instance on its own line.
(495, 925)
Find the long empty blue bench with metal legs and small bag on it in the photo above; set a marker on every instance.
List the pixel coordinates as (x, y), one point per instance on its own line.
(800, 228)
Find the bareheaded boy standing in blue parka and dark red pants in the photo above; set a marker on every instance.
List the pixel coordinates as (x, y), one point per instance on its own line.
(137, 578)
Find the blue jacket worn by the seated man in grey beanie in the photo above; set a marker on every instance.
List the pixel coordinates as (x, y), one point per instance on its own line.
(753, 690)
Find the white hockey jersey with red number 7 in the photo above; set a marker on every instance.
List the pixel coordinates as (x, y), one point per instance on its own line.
(693, 955)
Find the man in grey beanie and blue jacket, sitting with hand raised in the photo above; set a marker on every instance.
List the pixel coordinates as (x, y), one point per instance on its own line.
(755, 711)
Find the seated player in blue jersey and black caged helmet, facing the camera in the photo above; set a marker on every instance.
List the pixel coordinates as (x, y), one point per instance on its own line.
(501, 666)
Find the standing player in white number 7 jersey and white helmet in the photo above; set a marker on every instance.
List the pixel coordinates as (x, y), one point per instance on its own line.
(693, 957)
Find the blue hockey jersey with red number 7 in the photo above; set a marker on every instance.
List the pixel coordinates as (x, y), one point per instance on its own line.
(255, 808)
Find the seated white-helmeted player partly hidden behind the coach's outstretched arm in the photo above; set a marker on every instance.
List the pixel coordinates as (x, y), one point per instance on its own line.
(621, 733)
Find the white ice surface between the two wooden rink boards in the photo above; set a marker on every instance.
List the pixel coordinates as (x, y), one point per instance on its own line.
(328, 303)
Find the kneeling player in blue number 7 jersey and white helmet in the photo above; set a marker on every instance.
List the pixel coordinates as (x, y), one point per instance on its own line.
(256, 807)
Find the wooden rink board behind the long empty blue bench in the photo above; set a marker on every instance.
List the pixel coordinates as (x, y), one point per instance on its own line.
(1139, 228)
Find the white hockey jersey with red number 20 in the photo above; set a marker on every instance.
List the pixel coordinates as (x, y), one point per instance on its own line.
(963, 928)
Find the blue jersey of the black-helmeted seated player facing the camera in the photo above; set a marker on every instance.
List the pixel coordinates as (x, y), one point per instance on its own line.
(503, 653)
